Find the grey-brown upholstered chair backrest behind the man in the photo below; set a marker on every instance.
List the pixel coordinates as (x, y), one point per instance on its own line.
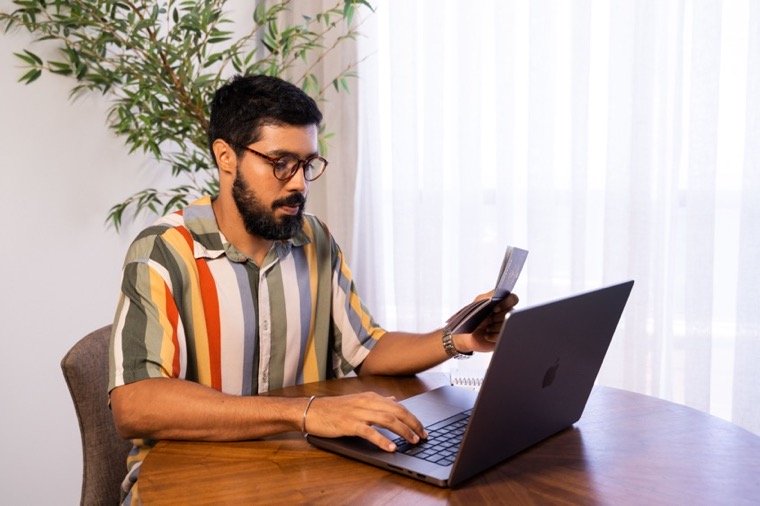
(104, 453)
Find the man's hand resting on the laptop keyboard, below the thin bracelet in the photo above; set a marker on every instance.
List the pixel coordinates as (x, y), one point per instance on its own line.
(355, 415)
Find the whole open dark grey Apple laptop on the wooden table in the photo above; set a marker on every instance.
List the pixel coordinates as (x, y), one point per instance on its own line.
(537, 384)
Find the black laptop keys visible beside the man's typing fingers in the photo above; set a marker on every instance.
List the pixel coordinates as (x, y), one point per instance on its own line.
(442, 443)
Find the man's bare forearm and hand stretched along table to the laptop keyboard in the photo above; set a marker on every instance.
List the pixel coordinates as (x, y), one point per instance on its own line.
(168, 408)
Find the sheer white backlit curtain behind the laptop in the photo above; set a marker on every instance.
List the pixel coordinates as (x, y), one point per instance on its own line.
(614, 140)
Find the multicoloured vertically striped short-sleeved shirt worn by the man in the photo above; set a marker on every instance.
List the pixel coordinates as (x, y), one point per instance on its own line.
(194, 307)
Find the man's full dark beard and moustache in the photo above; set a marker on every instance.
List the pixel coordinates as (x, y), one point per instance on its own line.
(261, 221)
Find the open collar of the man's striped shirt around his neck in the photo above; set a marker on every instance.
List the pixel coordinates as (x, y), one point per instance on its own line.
(209, 242)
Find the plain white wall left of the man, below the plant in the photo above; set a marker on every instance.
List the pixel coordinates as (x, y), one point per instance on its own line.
(60, 171)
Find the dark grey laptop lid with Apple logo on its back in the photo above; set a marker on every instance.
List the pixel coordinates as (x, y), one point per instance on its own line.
(540, 376)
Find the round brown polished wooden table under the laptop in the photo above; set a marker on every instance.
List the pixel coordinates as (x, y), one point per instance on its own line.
(626, 449)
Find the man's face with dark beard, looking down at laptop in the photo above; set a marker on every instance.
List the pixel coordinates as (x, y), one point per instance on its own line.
(270, 208)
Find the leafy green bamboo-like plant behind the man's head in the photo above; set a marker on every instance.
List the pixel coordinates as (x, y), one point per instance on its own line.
(159, 63)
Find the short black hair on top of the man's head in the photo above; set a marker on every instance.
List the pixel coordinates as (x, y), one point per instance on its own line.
(246, 103)
